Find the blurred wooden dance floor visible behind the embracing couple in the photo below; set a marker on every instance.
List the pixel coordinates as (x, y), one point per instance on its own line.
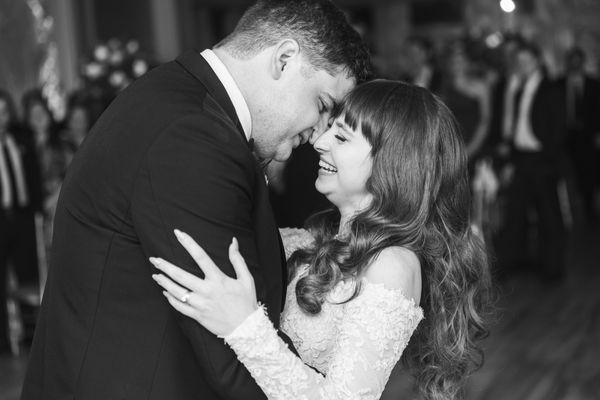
(543, 346)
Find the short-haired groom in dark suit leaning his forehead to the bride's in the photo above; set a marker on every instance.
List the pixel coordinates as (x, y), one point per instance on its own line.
(179, 149)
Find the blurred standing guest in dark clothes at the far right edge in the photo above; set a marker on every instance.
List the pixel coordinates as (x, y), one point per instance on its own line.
(582, 100)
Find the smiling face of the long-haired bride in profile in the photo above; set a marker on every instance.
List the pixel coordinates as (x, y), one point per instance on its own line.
(344, 166)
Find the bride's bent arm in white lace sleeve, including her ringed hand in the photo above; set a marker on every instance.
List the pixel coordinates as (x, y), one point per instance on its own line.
(375, 330)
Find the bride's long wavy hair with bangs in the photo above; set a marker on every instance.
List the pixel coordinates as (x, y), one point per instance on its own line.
(421, 201)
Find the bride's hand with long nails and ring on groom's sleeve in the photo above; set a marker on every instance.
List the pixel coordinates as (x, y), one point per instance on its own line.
(218, 302)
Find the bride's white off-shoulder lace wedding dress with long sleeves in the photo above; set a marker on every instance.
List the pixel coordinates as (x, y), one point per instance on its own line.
(353, 345)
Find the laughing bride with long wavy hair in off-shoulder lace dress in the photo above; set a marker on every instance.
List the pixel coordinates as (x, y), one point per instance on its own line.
(394, 270)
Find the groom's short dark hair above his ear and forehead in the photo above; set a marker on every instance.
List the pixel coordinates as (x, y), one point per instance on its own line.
(320, 28)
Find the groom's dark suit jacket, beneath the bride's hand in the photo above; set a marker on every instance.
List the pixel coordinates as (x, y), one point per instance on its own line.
(168, 153)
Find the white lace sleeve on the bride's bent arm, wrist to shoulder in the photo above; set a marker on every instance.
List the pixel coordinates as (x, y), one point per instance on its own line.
(373, 334)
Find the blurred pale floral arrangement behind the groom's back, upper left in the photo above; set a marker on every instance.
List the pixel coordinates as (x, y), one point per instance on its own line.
(114, 65)
